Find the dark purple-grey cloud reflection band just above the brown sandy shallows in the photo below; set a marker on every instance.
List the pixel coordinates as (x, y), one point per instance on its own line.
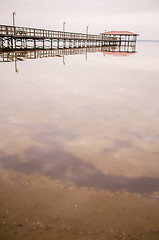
(60, 164)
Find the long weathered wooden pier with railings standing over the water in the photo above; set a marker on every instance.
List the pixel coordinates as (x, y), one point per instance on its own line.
(30, 38)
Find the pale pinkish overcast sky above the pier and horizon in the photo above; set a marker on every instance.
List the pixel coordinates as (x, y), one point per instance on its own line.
(138, 16)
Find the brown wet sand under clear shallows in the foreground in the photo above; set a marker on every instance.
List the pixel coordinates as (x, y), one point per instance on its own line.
(36, 207)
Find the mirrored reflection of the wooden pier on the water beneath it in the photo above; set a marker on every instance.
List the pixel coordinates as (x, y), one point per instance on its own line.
(21, 55)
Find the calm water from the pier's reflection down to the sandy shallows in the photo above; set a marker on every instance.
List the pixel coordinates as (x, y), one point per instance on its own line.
(87, 129)
